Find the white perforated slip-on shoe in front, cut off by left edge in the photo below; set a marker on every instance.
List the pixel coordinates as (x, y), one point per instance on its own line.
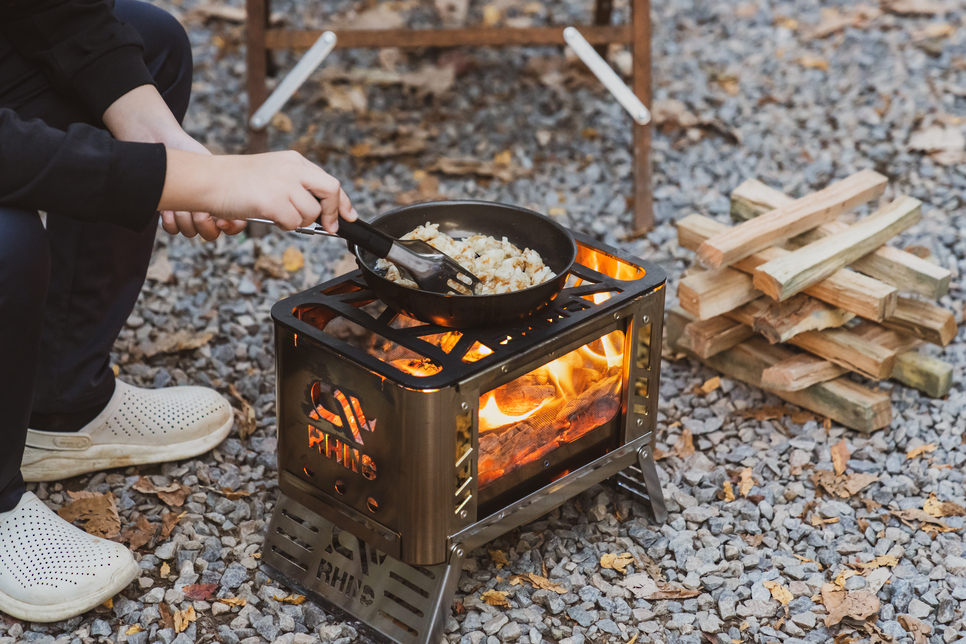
(50, 570)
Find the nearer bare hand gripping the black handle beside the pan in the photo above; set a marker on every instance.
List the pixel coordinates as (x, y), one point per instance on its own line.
(283, 187)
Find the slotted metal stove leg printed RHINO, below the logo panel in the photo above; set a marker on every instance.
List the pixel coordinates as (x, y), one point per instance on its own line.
(397, 602)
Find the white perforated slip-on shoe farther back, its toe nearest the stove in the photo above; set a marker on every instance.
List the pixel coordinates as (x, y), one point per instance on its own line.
(138, 426)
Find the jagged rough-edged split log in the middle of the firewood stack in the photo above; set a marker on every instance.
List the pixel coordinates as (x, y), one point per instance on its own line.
(782, 321)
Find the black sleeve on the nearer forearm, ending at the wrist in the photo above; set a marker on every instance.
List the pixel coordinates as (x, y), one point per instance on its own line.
(82, 173)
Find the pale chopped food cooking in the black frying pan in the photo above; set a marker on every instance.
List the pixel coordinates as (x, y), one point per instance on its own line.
(500, 266)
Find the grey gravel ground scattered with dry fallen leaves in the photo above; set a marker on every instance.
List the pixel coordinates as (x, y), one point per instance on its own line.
(760, 98)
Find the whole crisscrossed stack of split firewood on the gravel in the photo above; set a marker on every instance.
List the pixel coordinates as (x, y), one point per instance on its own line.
(795, 301)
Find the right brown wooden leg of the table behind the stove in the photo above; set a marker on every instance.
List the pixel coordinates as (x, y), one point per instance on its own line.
(643, 200)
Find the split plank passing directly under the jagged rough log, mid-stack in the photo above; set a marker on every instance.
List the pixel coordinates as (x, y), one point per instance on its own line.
(839, 346)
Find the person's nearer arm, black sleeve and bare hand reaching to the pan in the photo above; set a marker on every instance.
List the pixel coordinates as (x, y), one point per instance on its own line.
(86, 174)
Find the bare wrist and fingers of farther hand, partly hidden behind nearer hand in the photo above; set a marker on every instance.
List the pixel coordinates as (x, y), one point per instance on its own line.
(141, 115)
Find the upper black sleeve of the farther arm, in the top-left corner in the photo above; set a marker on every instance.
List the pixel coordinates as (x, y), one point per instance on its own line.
(80, 44)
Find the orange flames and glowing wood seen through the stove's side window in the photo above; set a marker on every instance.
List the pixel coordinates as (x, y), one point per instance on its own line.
(556, 404)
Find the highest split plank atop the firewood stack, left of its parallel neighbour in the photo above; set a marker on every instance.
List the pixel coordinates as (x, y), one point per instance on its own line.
(794, 219)
